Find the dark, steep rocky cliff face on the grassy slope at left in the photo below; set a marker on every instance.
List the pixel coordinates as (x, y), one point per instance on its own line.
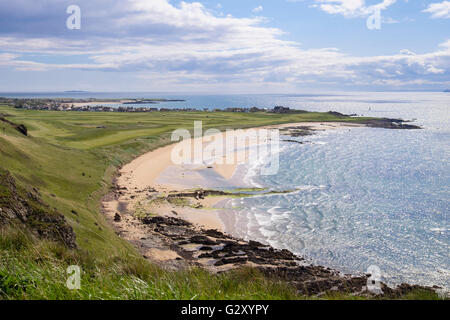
(18, 205)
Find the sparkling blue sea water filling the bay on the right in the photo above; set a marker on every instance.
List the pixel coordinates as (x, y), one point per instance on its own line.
(362, 196)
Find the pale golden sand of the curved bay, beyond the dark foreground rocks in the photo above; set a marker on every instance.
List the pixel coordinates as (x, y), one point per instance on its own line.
(145, 181)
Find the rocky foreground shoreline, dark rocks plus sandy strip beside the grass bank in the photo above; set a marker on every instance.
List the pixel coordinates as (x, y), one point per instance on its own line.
(177, 244)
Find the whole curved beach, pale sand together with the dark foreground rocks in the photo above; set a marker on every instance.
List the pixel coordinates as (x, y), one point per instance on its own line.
(172, 213)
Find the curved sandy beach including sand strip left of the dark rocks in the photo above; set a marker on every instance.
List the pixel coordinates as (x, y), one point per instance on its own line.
(148, 186)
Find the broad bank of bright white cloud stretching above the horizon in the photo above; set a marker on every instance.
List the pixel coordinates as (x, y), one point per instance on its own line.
(190, 45)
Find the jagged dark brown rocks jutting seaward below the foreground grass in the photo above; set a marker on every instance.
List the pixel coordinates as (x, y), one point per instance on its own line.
(219, 252)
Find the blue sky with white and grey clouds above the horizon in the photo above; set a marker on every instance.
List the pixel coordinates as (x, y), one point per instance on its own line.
(231, 46)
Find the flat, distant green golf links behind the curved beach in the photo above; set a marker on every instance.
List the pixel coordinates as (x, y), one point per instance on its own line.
(89, 130)
